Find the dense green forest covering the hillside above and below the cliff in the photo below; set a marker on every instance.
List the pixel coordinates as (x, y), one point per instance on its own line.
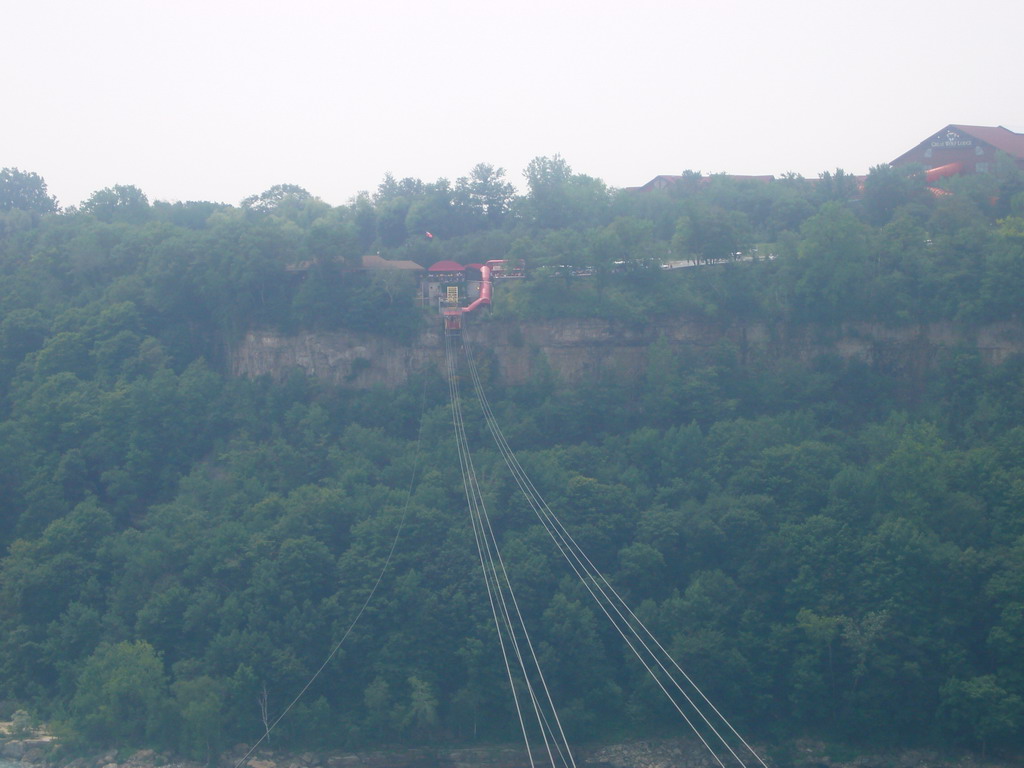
(828, 550)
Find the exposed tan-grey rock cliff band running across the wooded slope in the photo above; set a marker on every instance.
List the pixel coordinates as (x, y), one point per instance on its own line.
(578, 351)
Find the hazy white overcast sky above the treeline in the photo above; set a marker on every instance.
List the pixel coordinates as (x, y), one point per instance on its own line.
(219, 100)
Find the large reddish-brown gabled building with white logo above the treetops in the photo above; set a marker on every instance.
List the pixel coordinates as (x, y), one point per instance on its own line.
(972, 148)
